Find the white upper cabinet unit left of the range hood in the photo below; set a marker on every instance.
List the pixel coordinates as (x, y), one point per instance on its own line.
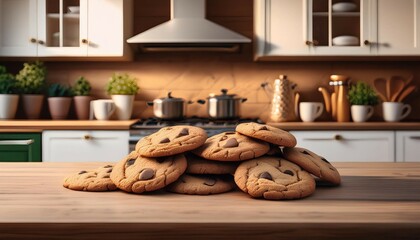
(48, 28)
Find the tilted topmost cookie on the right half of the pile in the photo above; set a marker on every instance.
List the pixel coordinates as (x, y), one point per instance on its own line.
(267, 133)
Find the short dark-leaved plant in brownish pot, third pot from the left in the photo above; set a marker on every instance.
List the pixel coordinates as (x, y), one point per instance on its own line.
(59, 100)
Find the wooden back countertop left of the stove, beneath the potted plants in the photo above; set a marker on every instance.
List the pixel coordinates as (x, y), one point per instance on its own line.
(39, 125)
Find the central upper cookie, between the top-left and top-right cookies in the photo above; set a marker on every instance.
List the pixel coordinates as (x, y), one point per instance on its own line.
(231, 146)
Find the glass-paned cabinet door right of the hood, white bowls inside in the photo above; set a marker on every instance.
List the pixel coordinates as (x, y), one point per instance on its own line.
(339, 31)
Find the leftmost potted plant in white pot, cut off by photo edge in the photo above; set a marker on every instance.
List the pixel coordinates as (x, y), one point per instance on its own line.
(8, 94)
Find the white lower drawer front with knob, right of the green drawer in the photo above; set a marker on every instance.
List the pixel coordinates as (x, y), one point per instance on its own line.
(84, 146)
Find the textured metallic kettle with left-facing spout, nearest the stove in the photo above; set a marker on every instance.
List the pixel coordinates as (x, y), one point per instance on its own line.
(285, 100)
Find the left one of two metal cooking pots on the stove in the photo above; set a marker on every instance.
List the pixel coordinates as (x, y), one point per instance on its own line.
(168, 107)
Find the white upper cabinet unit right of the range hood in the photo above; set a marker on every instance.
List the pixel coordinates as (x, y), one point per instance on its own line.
(336, 28)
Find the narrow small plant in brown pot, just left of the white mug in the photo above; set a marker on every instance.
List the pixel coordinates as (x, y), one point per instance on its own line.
(82, 98)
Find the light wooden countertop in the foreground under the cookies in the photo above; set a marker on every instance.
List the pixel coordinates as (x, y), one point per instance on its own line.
(375, 201)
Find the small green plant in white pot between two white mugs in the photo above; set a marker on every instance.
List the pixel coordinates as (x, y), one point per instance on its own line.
(362, 98)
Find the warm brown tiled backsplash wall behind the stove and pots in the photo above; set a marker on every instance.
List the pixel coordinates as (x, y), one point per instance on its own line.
(195, 78)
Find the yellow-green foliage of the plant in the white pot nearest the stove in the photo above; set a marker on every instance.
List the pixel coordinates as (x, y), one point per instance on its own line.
(122, 84)
